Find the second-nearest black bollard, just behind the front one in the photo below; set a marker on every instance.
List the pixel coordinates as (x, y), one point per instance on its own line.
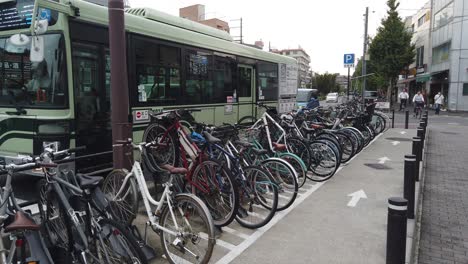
(409, 183)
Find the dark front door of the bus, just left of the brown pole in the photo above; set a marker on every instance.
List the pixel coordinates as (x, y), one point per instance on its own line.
(91, 73)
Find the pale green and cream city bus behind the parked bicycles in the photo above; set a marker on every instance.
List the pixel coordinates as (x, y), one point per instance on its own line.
(172, 63)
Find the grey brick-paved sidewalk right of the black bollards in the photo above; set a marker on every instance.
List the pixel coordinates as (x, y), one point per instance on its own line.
(444, 223)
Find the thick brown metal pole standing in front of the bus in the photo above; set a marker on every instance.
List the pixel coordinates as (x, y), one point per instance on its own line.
(121, 126)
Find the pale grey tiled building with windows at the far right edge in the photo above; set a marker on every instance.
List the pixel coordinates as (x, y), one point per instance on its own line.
(449, 68)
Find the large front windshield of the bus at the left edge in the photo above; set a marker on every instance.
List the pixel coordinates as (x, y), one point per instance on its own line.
(26, 84)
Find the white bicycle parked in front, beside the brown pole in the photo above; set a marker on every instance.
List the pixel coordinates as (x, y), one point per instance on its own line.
(183, 221)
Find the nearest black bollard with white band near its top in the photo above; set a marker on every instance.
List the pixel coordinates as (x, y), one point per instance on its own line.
(396, 230)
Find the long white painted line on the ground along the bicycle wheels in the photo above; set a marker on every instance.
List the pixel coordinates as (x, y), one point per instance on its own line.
(279, 215)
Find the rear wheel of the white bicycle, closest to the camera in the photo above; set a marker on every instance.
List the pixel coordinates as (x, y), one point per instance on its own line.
(193, 238)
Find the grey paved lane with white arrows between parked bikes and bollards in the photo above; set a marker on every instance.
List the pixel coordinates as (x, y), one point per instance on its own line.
(321, 227)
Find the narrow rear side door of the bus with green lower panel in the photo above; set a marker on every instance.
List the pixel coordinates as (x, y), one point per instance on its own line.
(245, 90)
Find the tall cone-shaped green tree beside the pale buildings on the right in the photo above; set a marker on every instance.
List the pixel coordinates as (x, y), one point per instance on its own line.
(391, 49)
